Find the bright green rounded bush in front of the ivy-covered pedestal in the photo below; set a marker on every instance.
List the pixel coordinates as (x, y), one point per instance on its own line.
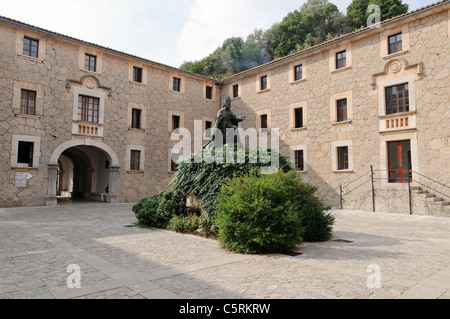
(258, 214)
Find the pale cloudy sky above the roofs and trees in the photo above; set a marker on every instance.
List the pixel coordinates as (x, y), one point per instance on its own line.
(164, 31)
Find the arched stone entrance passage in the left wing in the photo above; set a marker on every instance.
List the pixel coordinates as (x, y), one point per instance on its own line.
(82, 170)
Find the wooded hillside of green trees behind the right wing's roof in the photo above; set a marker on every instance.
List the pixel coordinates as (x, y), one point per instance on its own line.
(315, 22)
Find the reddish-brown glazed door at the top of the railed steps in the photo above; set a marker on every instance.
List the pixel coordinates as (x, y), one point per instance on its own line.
(399, 161)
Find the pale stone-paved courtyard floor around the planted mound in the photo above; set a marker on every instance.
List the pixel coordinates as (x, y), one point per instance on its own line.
(412, 254)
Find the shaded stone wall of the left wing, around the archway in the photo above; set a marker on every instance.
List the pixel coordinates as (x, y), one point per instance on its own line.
(57, 76)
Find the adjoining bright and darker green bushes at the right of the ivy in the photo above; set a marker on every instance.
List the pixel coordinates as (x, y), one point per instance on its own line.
(270, 213)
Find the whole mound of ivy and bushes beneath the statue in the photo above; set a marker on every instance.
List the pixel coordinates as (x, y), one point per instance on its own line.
(249, 211)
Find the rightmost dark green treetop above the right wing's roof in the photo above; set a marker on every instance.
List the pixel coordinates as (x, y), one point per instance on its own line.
(358, 15)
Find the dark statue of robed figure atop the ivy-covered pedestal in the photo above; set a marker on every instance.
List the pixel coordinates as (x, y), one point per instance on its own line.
(225, 119)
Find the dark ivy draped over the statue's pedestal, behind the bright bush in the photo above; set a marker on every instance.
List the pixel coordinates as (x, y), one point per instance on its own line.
(205, 179)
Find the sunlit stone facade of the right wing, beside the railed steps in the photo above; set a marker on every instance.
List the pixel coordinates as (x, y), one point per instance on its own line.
(423, 63)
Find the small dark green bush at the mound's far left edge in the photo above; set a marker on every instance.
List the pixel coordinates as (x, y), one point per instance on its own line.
(157, 211)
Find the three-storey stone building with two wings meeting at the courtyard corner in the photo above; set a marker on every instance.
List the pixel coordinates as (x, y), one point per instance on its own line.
(76, 117)
